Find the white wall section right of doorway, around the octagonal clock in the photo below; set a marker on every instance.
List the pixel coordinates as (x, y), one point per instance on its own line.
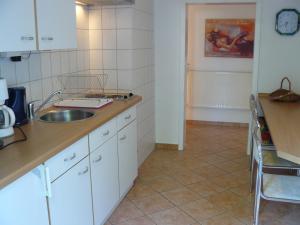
(279, 55)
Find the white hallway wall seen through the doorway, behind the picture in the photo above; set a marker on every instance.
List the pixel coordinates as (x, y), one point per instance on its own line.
(218, 88)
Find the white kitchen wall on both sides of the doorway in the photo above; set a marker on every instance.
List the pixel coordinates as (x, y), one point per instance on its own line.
(278, 55)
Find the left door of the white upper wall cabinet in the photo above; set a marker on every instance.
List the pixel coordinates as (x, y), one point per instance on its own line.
(17, 24)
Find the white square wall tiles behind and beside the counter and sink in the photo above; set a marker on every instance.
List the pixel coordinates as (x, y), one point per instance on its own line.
(113, 40)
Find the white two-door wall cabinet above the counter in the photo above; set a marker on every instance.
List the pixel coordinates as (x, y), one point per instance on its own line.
(37, 25)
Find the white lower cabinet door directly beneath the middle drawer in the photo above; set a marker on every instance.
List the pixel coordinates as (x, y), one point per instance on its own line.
(105, 180)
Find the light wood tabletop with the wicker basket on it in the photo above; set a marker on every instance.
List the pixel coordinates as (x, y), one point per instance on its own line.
(283, 120)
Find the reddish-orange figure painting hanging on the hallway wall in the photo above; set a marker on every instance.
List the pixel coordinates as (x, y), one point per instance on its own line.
(229, 38)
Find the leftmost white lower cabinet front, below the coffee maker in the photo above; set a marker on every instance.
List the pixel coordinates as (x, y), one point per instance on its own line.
(23, 202)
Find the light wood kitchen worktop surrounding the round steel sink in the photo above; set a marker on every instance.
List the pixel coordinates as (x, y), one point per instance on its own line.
(47, 139)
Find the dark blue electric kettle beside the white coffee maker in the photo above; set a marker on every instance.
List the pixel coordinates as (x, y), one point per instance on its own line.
(17, 102)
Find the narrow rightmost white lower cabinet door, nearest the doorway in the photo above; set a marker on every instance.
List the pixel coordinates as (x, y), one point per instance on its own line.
(127, 149)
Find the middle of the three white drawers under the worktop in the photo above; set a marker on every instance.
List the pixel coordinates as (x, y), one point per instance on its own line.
(102, 134)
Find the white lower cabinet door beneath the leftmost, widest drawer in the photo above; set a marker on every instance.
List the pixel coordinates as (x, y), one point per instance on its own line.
(70, 202)
